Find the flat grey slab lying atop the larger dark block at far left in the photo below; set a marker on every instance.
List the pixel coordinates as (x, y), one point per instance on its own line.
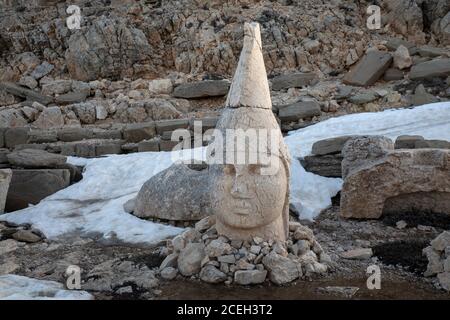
(32, 158)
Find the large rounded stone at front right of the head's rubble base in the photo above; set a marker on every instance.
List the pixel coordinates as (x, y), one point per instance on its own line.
(282, 270)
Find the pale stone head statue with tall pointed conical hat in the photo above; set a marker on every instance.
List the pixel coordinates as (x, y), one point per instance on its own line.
(250, 187)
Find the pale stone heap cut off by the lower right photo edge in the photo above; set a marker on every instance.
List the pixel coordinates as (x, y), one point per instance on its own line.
(438, 255)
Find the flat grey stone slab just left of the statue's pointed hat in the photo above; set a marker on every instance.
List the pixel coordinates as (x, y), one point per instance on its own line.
(209, 88)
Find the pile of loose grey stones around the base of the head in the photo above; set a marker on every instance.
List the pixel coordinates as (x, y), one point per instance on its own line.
(200, 253)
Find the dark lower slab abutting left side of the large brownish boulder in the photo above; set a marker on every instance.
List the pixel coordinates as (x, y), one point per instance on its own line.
(326, 166)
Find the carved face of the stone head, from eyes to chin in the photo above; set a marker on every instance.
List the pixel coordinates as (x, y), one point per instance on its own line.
(244, 198)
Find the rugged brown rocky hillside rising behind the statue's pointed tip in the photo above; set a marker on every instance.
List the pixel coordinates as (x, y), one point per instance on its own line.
(153, 38)
